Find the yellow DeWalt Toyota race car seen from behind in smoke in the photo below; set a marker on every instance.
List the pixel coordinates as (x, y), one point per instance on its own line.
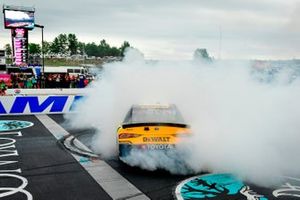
(151, 128)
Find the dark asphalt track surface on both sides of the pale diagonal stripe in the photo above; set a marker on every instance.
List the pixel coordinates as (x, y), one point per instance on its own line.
(52, 172)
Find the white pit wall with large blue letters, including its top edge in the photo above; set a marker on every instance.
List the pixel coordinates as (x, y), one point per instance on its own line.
(39, 101)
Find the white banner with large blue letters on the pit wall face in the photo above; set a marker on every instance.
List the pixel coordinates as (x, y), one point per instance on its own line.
(43, 104)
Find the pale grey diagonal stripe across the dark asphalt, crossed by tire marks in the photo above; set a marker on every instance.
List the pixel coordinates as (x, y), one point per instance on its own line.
(116, 186)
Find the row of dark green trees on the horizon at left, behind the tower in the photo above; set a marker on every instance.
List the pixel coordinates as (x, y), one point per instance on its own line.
(68, 44)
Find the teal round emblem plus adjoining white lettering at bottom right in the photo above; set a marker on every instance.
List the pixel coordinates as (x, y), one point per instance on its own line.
(227, 186)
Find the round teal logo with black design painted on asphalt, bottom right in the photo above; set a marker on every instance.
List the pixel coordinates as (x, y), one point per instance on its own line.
(215, 186)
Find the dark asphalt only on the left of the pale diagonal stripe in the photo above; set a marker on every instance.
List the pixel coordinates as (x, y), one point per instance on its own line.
(51, 171)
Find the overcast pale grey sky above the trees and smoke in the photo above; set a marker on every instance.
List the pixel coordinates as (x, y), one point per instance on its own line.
(173, 29)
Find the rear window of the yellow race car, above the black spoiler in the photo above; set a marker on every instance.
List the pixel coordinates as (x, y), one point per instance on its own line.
(154, 114)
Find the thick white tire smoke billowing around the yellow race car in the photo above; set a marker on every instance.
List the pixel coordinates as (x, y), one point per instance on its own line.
(244, 121)
